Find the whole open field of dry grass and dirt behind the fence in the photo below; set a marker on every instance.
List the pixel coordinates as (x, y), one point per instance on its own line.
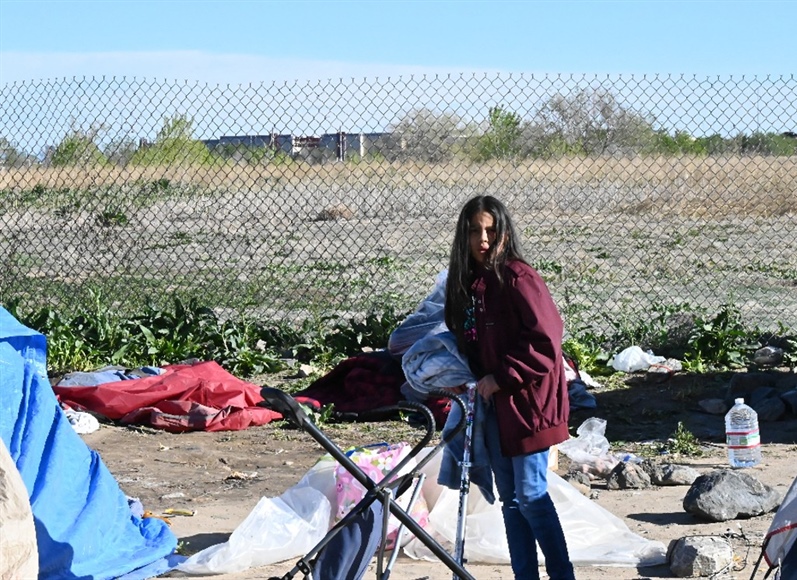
(613, 236)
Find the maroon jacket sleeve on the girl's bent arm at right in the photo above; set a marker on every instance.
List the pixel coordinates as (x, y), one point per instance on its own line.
(538, 348)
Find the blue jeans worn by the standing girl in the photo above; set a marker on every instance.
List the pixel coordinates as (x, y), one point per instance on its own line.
(529, 513)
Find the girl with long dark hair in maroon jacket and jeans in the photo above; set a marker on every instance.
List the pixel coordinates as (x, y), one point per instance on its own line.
(507, 324)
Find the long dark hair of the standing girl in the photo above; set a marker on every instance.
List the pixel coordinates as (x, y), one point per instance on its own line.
(461, 266)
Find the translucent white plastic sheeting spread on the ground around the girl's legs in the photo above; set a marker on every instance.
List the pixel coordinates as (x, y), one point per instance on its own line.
(594, 535)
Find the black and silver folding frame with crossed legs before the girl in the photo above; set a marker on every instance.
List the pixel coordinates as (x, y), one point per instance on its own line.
(385, 491)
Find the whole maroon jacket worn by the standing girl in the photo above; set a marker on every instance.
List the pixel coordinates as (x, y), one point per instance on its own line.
(519, 333)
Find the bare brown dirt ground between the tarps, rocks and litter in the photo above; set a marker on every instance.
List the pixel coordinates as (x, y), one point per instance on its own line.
(221, 476)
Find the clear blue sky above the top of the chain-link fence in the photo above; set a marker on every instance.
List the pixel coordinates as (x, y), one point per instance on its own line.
(243, 42)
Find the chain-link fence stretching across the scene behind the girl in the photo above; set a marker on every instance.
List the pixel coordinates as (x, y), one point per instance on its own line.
(633, 193)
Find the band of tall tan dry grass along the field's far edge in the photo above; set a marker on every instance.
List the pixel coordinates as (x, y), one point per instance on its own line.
(732, 185)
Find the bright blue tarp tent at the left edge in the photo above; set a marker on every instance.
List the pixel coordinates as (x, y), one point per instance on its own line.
(84, 526)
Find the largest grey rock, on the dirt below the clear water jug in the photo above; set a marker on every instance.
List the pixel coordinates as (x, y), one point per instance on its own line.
(726, 495)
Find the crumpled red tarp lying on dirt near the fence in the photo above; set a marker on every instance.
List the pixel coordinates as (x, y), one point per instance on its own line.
(199, 397)
